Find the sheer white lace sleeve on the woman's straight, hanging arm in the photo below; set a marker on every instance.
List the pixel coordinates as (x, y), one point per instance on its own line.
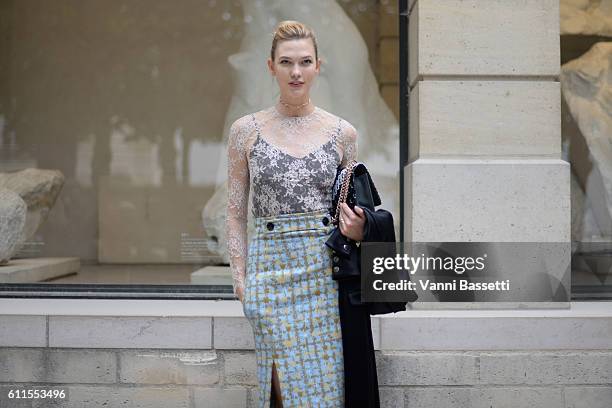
(237, 201)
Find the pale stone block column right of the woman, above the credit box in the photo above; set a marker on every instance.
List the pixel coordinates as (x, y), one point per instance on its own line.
(485, 124)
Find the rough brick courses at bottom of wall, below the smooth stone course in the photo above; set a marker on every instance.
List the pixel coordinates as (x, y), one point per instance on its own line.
(227, 378)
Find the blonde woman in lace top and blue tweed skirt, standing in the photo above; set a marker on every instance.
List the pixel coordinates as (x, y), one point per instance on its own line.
(287, 155)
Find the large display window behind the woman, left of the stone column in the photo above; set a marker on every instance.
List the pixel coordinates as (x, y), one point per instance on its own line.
(114, 118)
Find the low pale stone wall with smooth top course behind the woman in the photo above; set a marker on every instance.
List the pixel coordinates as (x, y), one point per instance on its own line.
(444, 358)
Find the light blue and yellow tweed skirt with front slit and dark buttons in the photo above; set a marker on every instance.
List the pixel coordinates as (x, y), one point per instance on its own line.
(291, 302)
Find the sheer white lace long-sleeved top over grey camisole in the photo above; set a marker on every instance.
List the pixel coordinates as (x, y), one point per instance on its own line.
(287, 163)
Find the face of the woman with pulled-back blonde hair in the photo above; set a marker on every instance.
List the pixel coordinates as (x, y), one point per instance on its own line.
(295, 68)
